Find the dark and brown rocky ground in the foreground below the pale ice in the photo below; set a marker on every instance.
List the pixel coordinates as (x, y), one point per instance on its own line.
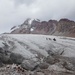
(53, 64)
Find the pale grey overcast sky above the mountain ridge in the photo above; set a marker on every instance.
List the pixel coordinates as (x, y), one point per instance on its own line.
(14, 12)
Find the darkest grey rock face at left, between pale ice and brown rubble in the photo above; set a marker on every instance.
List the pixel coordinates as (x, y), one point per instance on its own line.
(7, 57)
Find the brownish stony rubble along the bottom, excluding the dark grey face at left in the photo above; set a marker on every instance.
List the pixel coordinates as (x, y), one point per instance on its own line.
(50, 65)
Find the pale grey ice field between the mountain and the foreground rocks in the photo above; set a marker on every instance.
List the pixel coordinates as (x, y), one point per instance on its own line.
(30, 45)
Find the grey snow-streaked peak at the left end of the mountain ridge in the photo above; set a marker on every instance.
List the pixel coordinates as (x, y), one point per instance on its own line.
(26, 27)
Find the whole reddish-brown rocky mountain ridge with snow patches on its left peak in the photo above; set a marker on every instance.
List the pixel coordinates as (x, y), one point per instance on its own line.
(63, 27)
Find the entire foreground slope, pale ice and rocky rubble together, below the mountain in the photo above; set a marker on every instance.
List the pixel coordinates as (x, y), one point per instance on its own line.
(36, 55)
